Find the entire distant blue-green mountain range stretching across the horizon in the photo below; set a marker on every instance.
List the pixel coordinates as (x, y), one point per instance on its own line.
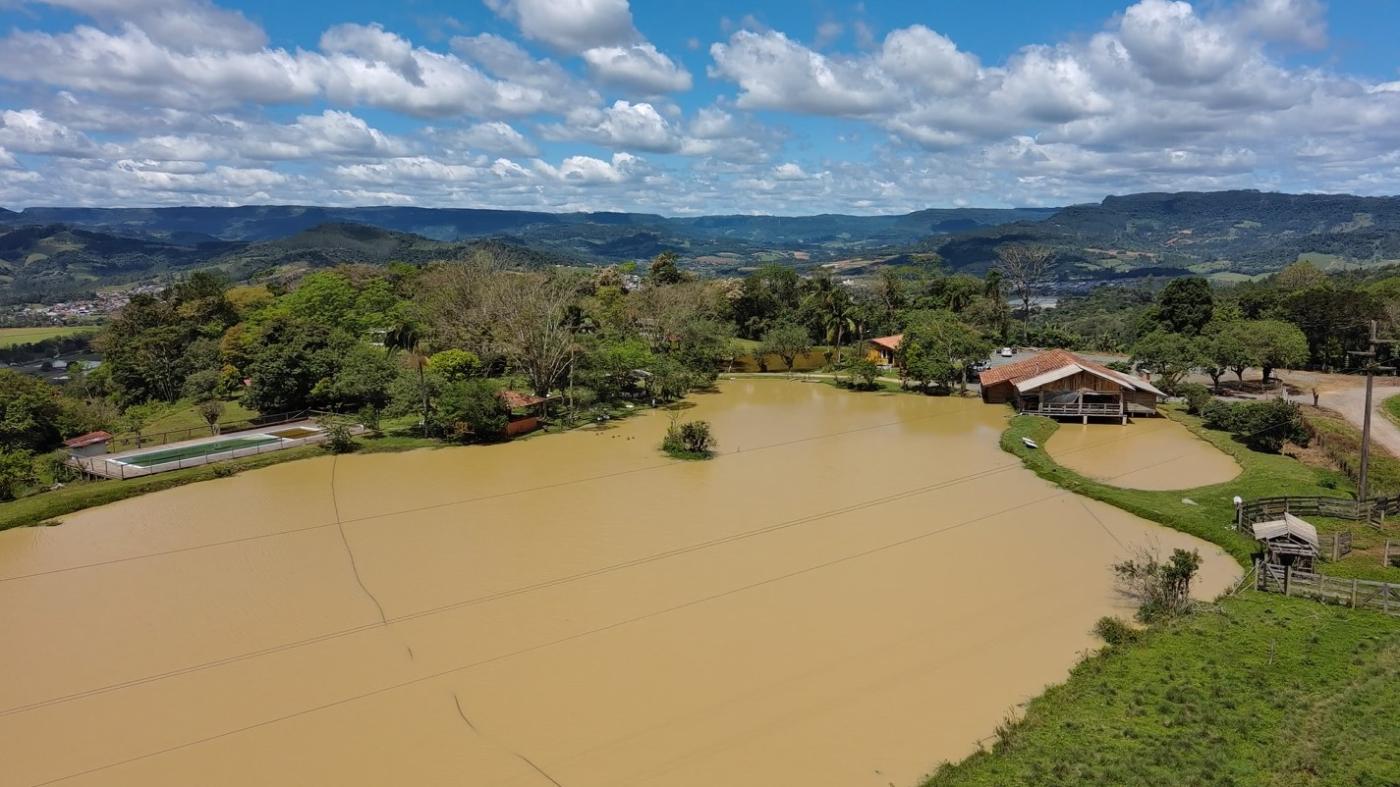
(54, 251)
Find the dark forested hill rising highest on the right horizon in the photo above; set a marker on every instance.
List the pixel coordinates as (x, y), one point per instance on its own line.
(1210, 233)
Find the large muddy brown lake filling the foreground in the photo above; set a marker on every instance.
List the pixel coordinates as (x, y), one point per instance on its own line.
(859, 587)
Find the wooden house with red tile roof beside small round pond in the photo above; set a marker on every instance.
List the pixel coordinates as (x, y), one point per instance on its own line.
(1062, 384)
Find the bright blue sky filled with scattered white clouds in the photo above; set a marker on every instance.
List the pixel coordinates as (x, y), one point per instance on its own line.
(698, 107)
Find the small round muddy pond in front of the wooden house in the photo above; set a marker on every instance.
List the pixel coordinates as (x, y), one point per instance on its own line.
(1144, 454)
